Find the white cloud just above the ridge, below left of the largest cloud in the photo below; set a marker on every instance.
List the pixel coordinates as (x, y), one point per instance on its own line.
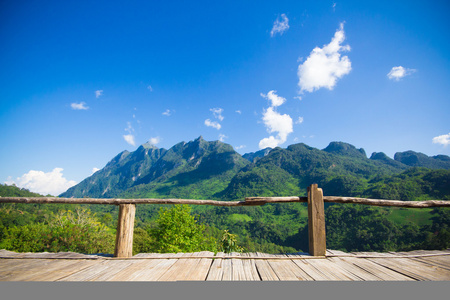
(275, 122)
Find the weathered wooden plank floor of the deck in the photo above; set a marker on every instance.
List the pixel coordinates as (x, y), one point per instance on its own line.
(362, 266)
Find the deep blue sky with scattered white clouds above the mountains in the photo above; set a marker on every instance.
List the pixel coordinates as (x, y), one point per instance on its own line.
(81, 81)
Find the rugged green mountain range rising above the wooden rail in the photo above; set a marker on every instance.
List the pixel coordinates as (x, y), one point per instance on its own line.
(203, 169)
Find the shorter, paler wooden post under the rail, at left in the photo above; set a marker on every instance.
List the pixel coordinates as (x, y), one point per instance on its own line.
(125, 227)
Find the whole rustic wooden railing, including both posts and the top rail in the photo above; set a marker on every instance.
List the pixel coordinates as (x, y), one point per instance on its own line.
(315, 200)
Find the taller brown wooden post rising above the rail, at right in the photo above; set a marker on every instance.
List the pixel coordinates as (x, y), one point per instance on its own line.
(316, 221)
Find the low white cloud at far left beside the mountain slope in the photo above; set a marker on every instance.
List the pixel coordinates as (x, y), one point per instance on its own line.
(52, 183)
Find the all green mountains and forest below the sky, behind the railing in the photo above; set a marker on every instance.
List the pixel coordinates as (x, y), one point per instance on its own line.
(213, 170)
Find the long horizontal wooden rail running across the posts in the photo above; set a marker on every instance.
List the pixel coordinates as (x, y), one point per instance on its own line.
(249, 201)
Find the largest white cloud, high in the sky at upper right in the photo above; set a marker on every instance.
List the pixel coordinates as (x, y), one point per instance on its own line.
(324, 66)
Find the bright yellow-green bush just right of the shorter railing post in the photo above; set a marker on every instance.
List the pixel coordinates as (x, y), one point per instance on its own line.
(177, 231)
